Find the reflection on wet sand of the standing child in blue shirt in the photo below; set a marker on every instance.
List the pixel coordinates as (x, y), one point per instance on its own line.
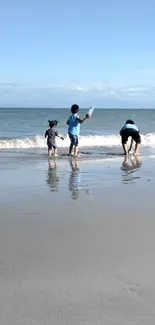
(75, 179)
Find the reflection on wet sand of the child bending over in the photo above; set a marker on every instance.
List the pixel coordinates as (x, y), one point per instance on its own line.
(130, 166)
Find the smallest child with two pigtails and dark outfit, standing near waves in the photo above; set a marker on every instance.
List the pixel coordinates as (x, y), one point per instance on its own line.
(51, 133)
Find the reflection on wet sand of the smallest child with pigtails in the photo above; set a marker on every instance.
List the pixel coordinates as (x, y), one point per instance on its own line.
(52, 180)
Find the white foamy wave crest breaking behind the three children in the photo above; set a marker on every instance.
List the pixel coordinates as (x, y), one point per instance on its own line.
(39, 141)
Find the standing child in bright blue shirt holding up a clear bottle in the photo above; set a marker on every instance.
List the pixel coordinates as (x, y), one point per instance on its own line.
(74, 122)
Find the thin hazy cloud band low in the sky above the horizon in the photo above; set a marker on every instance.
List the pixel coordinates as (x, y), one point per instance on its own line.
(47, 94)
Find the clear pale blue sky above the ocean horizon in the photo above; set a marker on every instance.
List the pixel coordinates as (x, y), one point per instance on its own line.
(54, 53)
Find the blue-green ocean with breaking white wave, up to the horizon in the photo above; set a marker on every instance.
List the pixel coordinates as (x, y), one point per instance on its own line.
(22, 129)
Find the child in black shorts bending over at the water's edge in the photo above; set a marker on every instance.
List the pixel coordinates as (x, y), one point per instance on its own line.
(130, 130)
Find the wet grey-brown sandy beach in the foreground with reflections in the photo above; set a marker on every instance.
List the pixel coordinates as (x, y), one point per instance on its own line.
(77, 244)
